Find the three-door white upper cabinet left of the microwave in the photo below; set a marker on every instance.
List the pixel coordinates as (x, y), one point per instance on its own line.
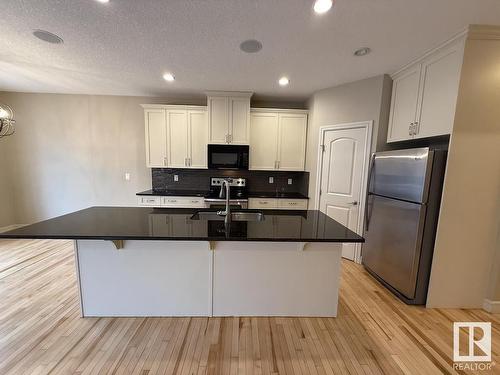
(176, 136)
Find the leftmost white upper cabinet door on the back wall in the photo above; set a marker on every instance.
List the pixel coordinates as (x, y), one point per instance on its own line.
(156, 138)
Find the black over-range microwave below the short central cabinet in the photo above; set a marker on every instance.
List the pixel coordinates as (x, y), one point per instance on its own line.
(228, 156)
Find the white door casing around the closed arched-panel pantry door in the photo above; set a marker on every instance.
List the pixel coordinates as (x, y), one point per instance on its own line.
(368, 125)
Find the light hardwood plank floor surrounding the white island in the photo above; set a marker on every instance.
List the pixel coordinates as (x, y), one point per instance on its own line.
(41, 331)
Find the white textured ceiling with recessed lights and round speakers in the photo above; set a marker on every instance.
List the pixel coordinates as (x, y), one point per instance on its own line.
(124, 47)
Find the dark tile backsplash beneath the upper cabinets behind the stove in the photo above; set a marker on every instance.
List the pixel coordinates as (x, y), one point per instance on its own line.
(257, 181)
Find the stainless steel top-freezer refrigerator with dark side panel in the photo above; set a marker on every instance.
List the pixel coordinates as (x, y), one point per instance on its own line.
(404, 194)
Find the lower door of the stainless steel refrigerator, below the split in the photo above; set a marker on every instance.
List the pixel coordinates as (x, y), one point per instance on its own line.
(393, 242)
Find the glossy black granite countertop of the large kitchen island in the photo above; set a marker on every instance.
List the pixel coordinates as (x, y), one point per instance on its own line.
(142, 223)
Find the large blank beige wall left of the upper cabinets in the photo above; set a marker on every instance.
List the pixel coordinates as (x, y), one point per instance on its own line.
(71, 152)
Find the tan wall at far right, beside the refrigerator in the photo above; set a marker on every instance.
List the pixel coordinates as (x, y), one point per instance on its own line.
(467, 239)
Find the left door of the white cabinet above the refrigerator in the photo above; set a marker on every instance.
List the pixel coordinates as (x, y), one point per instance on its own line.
(403, 104)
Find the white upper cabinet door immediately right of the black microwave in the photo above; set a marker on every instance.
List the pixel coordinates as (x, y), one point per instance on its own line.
(264, 140)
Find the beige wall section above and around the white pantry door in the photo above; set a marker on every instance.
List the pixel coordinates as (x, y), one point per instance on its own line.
(364, 100)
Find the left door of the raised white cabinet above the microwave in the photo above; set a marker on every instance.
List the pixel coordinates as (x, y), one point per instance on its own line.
(218, 120)
